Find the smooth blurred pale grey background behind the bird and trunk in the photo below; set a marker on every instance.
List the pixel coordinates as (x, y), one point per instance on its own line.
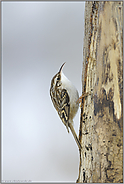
(37, 38)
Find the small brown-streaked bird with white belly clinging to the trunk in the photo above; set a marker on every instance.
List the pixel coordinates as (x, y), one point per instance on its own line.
(65, 98)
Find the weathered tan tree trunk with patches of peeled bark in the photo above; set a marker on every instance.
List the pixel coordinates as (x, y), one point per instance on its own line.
(101, 123)
